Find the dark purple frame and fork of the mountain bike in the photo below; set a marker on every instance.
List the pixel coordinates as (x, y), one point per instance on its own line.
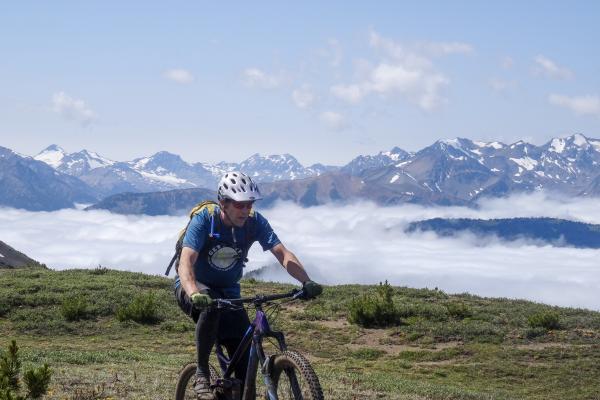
(258, 329)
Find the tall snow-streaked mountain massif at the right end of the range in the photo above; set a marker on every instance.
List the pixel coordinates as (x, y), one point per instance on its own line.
(458, 171)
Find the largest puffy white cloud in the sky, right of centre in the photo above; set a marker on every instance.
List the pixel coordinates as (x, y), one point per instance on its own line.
(408, 72)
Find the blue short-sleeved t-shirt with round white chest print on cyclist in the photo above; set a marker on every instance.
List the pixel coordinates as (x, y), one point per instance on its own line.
(221, 257)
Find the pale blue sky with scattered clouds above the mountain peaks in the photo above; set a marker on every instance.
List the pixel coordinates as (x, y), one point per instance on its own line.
(324, 82)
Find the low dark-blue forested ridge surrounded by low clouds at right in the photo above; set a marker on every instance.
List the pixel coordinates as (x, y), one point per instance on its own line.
(558, 232)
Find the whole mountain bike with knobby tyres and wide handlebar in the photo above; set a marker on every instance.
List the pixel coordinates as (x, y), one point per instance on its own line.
(286, 374)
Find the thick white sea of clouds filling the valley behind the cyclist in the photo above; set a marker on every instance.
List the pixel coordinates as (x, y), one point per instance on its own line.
(358, 243)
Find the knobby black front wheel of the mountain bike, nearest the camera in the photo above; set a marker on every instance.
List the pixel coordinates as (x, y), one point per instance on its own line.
(294, 378)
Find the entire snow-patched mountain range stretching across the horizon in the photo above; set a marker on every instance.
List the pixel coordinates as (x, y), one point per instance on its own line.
(448, 172)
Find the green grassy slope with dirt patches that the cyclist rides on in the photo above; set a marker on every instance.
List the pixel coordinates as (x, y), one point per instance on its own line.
(491, 354)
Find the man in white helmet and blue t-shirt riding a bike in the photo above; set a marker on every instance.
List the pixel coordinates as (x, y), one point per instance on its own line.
(214, 252)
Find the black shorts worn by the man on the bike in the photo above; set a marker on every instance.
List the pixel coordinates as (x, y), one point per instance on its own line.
(232, 324)
